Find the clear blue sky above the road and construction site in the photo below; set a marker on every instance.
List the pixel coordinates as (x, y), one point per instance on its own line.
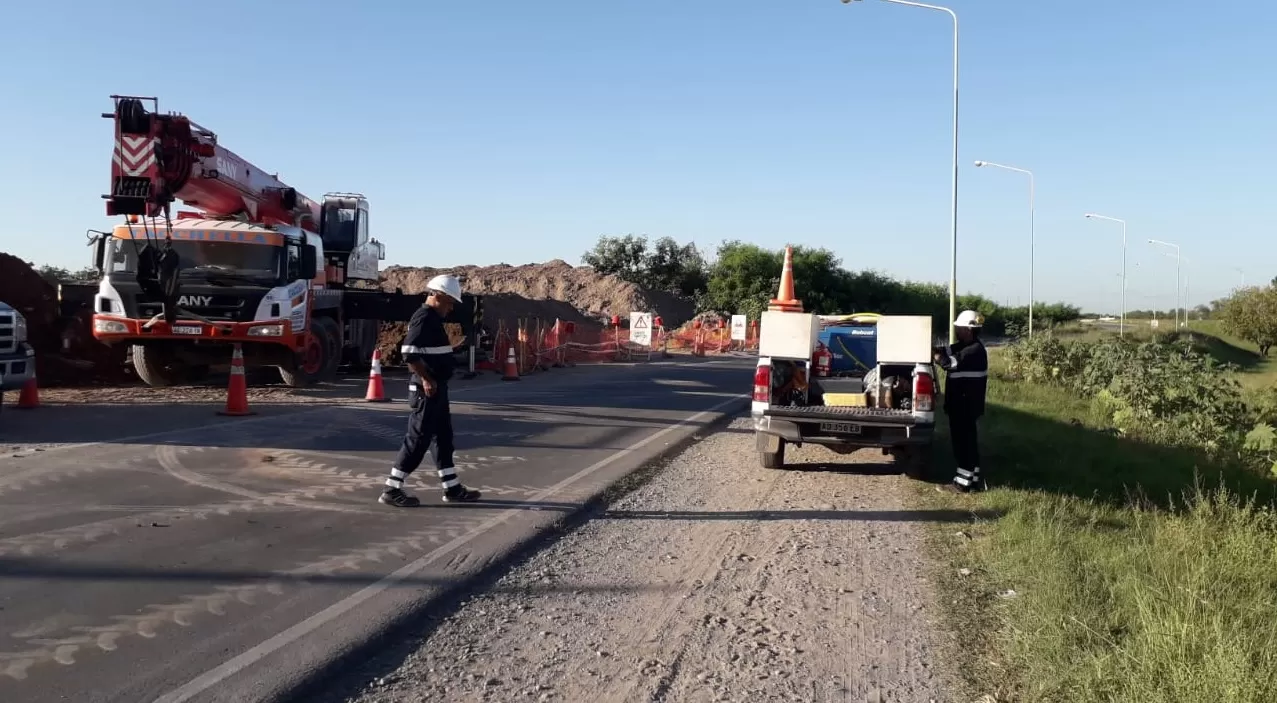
(520, 132)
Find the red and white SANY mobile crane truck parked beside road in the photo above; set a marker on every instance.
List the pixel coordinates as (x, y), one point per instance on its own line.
(292, 281)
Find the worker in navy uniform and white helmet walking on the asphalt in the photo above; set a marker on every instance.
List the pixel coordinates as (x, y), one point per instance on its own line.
(430, 354)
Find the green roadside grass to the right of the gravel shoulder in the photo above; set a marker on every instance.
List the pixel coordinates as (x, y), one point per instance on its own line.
(1140, 573)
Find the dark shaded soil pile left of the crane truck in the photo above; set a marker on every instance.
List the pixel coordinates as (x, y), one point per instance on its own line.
(84, 360)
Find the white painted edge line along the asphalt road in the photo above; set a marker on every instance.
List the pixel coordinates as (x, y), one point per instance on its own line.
(297, 632)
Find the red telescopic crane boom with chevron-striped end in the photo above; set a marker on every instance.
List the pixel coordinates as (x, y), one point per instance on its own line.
(160, 159)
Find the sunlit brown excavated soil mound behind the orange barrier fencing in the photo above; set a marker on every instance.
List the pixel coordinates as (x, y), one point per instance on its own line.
(550, 292)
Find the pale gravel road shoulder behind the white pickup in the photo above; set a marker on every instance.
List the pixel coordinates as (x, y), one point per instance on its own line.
(716, 581)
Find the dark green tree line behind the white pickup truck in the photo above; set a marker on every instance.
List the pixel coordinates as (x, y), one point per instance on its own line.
(743, 277)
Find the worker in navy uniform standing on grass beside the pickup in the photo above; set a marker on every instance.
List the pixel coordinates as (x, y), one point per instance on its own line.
(967, 369)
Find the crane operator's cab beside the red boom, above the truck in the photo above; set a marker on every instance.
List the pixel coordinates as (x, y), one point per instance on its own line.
(349, 252)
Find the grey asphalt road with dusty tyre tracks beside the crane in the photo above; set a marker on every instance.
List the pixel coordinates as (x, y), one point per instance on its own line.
(232, 559)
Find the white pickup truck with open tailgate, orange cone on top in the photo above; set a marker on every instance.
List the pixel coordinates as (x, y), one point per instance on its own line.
(886, 404)
